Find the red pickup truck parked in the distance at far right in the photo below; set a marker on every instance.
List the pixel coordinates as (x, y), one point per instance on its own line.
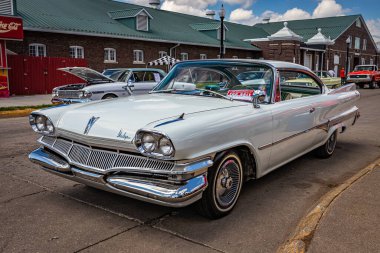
(365, 74)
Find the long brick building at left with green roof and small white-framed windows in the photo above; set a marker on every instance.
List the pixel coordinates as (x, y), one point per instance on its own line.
(111, 34)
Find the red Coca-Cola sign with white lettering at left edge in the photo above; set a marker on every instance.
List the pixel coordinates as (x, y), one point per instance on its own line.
(11, 28)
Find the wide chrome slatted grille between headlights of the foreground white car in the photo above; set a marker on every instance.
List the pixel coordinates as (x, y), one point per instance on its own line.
(103, 160)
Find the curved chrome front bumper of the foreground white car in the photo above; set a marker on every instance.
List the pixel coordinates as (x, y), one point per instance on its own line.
(161, 192)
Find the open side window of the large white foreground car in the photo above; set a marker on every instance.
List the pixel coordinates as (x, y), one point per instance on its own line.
(295, 84)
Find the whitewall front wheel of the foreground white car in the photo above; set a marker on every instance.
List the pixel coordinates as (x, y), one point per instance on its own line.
(225, 181)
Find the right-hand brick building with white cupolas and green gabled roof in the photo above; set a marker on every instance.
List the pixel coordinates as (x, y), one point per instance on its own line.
(319, 44)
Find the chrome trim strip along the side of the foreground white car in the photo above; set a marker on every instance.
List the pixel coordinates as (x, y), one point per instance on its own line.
(325, 126)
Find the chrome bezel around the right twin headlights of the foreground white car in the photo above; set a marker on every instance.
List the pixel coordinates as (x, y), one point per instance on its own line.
(155, 152)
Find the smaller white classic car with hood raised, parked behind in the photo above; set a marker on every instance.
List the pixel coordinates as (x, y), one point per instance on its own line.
(97, 86)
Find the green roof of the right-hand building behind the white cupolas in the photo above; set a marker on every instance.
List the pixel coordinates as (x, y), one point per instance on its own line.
(331, 27)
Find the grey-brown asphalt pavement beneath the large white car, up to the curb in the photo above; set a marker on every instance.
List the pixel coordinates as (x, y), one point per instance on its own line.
(45, 213)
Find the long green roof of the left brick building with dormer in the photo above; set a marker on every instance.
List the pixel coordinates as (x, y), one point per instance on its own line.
(91, 17)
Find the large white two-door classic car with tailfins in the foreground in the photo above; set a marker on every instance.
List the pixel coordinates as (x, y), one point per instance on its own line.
(184, 143)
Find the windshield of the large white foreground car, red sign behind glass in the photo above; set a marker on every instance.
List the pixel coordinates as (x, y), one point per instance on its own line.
(223, 79)
